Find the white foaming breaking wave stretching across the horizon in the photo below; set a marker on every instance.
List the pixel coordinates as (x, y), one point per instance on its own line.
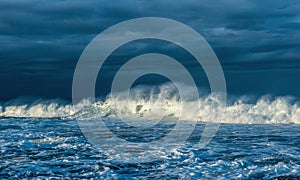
(159, 102)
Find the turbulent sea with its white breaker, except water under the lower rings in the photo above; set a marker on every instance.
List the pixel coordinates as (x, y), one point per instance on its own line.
(42, 138)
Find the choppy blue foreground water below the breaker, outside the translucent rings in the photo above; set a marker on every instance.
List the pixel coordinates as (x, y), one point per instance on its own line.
(45, 148)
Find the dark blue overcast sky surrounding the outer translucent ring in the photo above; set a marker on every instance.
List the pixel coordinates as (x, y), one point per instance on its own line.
(256, 41)
